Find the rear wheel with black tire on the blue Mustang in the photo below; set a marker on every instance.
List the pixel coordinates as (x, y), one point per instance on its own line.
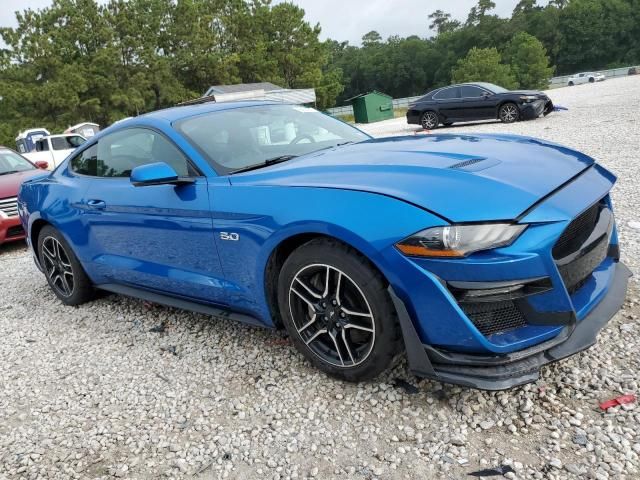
(63, 271)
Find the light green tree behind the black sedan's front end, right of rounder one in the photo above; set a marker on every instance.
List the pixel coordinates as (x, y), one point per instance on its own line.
(529, 62)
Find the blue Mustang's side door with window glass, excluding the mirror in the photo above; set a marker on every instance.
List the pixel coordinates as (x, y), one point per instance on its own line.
(156, 237)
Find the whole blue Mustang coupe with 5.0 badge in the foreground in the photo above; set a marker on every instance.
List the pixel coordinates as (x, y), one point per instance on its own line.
(483, 257)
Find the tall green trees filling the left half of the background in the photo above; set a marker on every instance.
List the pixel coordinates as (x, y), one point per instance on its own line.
(96, 60)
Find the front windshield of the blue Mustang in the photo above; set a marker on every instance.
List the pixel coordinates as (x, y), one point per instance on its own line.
(243, 137)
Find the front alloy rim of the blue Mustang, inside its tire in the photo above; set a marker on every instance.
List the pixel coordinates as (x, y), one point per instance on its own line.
(331, 315)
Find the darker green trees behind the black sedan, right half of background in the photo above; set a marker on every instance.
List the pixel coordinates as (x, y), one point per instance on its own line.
(539, 40)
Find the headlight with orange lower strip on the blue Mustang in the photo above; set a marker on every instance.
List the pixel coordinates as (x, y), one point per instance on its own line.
(458, 241)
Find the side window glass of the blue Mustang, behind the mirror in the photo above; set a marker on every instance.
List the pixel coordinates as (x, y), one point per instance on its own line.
(117, 154)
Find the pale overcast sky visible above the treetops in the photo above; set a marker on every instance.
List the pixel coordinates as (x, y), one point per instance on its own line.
(343, 19)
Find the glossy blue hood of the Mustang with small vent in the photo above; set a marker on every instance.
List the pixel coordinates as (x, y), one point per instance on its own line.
(462, 178)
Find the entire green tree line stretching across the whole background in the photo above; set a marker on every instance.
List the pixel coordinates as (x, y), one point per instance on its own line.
(81, 60)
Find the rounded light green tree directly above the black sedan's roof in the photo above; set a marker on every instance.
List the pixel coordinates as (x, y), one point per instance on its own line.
(483, 65)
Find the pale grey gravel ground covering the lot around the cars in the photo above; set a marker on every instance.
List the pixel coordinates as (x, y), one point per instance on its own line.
(120, 388)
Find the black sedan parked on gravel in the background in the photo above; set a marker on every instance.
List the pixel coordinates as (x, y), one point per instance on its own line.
(476, 101)
